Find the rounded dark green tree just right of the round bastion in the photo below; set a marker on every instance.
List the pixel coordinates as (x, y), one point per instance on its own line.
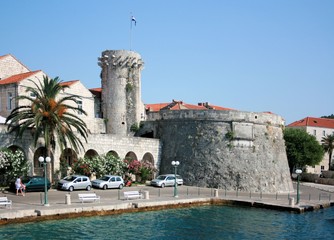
(302, 148)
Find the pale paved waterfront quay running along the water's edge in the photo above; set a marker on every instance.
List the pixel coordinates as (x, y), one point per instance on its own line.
(63, 204)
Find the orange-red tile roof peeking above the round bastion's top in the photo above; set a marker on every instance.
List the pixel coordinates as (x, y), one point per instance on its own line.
(180, 105)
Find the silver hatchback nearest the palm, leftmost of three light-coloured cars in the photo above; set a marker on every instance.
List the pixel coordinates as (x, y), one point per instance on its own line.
(75, 182)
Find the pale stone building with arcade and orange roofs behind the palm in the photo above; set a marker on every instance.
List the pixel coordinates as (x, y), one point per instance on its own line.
(14, 79)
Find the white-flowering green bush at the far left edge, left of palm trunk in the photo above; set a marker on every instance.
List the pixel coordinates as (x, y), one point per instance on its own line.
(12, 165)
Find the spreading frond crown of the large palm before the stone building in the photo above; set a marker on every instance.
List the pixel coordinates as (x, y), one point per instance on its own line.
(49, 115)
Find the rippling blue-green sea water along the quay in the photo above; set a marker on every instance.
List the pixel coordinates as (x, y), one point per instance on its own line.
(207, 222)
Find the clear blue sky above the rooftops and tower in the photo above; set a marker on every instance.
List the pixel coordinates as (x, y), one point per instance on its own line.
(256, 56)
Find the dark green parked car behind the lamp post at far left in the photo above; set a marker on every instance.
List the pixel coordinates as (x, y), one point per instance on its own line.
(33, 183)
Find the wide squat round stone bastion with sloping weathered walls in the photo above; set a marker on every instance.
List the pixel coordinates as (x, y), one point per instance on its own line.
(224, 149)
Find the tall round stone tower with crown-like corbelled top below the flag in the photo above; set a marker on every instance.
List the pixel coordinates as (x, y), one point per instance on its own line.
(122, 107)
